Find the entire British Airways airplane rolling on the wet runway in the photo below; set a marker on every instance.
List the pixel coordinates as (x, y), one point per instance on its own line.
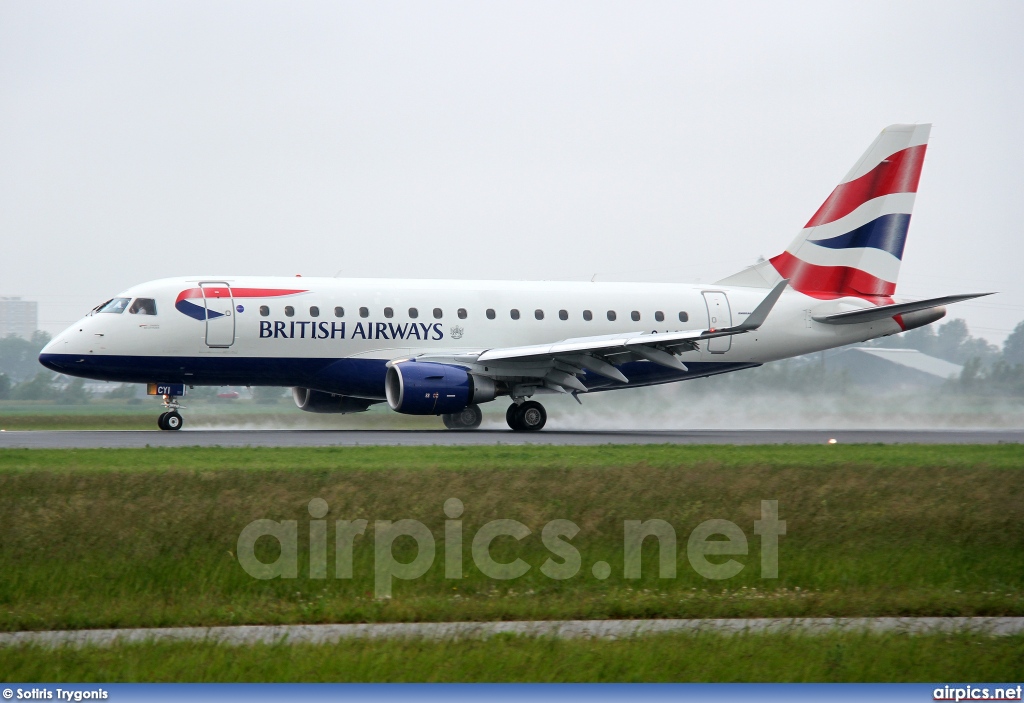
(445, 347)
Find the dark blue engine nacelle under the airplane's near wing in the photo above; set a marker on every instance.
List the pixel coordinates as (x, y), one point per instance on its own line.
(424, 388)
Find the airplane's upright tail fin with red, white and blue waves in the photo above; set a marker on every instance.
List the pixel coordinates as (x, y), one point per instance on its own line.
(855, 243)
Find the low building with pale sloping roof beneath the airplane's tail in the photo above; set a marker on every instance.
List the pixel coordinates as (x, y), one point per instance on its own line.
(891, 368)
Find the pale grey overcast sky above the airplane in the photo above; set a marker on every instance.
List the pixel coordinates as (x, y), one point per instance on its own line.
(557, 141)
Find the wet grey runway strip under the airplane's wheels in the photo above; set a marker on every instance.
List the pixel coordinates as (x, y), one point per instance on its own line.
(321, 438)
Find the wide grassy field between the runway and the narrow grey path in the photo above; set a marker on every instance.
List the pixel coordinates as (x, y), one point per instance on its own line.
(147, 538)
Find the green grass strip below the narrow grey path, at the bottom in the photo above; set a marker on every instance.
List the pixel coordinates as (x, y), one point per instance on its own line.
(848, 657)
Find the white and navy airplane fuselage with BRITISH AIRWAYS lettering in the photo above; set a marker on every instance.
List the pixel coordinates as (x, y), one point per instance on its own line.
(338, 335)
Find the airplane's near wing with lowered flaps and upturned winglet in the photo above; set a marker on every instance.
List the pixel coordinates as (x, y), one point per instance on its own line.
(557, 366)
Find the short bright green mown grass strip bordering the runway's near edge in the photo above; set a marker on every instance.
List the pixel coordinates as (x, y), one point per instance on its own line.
(822, 460)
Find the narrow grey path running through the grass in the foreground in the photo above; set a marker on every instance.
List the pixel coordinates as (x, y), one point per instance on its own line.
(319, 635)
